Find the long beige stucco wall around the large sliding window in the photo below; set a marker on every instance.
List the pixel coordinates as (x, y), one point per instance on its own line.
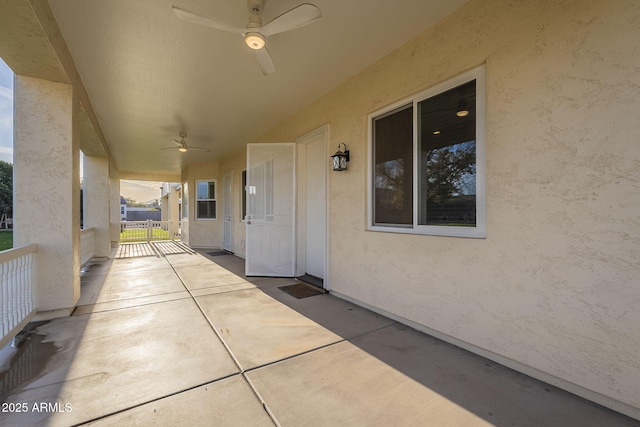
(553, 289)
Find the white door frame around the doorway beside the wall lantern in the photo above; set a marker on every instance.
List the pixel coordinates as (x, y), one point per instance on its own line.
(301, 142)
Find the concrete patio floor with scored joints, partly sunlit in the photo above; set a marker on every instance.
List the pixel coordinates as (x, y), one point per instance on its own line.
(166, 336)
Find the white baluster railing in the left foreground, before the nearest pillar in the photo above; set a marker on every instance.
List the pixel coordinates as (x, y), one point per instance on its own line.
(16, 302)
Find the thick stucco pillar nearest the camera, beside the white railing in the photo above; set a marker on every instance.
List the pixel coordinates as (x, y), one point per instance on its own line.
(47, 189)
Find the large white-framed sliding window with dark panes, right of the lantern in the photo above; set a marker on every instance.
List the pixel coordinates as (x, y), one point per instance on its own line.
(427, 169)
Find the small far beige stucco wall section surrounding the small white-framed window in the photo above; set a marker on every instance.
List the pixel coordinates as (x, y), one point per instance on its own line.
(202, 233)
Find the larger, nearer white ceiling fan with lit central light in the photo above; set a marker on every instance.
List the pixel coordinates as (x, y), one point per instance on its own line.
(255, 33)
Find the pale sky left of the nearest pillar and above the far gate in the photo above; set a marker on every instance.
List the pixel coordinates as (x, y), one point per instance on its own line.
(140, 191)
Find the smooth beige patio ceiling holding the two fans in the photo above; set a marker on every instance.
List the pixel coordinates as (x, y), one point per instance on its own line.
(150, 75)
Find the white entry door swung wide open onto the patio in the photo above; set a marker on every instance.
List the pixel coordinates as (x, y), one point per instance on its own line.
(270, 210)
